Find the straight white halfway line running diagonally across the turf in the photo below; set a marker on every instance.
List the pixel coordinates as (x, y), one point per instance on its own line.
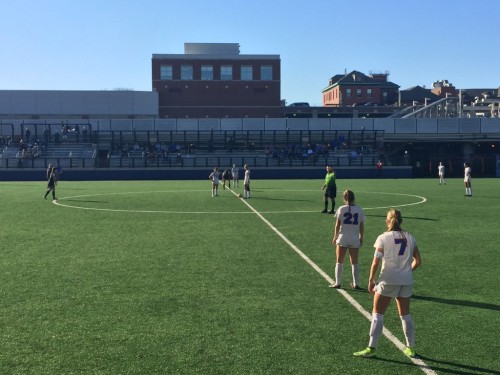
(388, 334)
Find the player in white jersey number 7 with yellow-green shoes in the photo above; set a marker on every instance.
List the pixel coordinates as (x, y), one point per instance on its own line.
(397, 251)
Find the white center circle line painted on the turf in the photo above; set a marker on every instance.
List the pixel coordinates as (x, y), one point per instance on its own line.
(58, 203)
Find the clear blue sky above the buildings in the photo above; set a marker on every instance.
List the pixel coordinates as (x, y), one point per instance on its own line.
(108, 44)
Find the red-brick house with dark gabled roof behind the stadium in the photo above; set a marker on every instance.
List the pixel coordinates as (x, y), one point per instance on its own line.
(356, 88)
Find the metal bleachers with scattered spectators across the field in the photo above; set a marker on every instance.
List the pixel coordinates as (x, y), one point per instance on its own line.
(202, 149)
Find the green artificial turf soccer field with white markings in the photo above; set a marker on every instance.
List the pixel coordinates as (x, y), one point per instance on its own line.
(158, 277)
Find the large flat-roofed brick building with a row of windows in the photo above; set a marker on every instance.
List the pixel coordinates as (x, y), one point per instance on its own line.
(212, 80)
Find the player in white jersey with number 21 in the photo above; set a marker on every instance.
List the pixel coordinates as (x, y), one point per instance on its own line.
(348, 235)
